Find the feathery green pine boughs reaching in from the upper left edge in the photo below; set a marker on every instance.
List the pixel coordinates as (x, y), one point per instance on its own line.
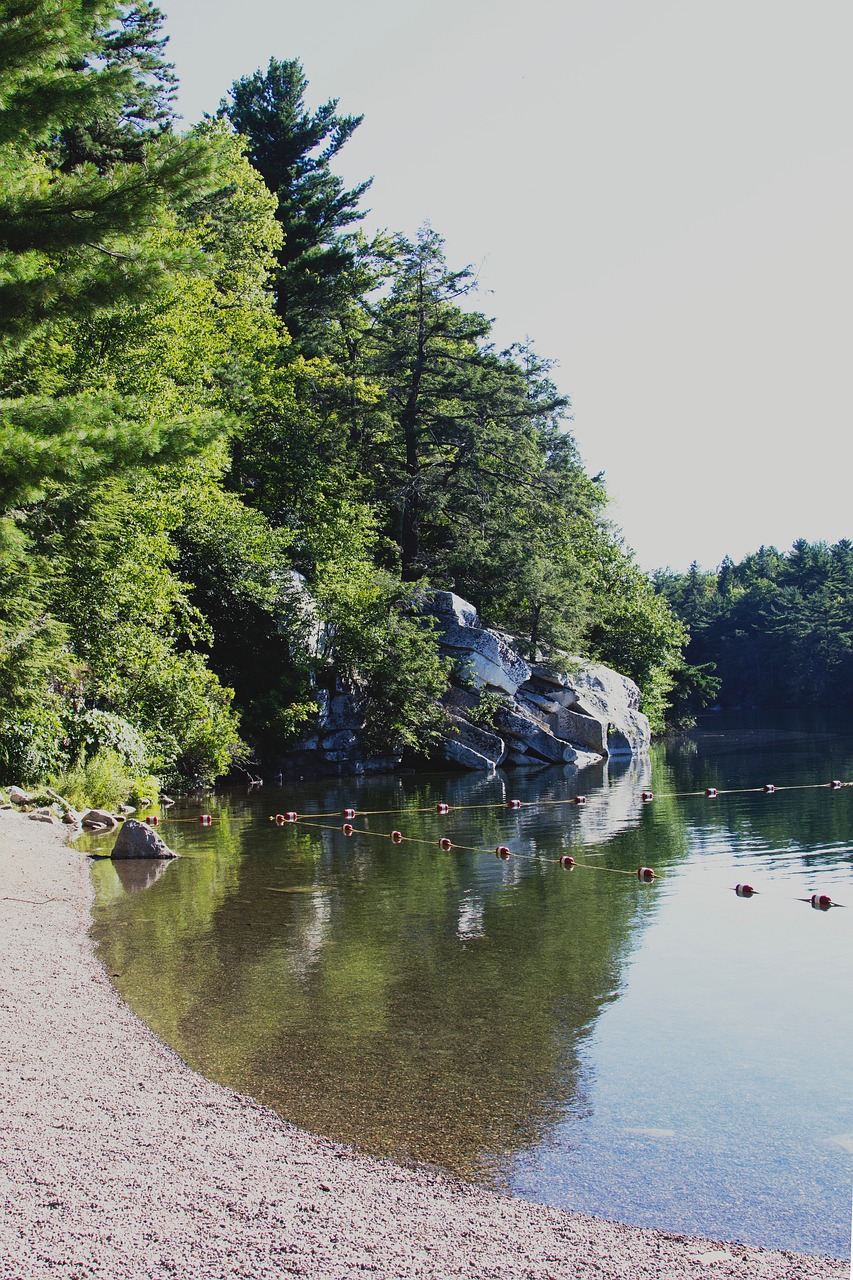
(75, 245)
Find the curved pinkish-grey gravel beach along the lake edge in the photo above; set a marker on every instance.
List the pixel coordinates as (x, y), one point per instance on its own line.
(118, 1162)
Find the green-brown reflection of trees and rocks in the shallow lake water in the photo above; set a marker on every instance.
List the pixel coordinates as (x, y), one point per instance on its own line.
(425, 1005)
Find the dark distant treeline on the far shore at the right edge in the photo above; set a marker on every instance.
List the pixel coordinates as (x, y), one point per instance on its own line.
(776, 630)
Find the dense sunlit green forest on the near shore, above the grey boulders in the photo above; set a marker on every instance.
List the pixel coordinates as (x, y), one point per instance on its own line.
(218, 392)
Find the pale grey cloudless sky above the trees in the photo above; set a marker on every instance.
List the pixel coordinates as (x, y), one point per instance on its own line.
(658, 194)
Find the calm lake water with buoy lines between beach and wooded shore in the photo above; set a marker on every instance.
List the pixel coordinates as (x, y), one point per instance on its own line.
(667, 1054)
